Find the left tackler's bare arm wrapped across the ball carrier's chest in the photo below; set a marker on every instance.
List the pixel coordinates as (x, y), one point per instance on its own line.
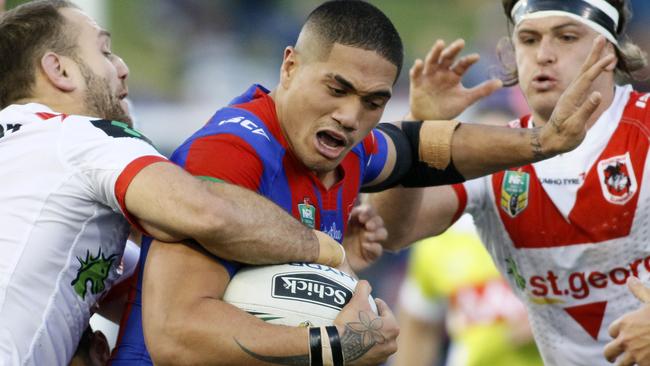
(229, 221)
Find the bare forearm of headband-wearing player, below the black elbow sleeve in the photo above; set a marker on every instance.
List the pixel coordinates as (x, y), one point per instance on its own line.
(411, 214)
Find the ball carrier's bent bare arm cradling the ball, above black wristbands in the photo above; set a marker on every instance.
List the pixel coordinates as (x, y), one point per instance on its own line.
(185, 322)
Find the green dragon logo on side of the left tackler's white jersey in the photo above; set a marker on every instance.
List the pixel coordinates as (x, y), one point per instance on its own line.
(93, 270)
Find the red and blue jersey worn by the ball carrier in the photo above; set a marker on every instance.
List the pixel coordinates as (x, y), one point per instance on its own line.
(243, 144)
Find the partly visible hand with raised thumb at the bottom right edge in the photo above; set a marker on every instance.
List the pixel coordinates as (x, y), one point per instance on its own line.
(631, 332)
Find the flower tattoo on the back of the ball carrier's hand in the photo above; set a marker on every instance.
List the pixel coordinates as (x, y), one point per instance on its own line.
(359, 337)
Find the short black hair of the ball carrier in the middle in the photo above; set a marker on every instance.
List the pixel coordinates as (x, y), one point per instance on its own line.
(358, 24)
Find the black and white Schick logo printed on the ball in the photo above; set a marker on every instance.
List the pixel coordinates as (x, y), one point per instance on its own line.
(312, 288)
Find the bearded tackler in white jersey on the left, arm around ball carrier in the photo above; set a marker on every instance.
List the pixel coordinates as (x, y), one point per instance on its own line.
(69, 181)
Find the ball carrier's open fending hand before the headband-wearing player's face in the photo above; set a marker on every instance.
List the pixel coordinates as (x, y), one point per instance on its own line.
(567, 126)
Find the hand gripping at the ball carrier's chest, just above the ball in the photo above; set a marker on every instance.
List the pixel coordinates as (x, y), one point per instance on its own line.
(363, 237)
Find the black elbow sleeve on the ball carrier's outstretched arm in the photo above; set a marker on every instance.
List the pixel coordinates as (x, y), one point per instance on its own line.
(409, 171)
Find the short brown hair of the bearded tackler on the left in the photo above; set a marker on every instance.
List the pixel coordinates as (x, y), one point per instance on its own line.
(26, 33)
